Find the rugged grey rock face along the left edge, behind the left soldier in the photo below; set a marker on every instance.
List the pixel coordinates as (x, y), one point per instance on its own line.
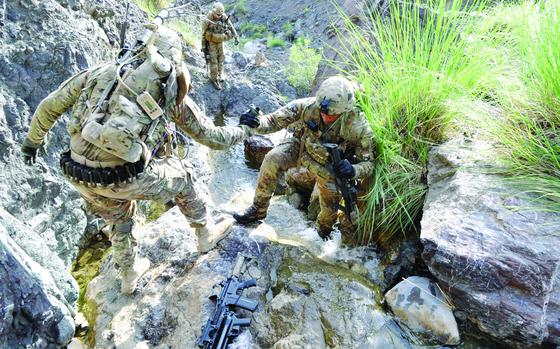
(41, 221)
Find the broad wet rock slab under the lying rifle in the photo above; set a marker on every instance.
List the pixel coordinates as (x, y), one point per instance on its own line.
(304, 302)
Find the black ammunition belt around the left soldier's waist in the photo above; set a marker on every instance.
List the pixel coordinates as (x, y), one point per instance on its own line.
(102, 176)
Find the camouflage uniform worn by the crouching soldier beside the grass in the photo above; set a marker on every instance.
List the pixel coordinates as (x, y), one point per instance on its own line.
(350, 131)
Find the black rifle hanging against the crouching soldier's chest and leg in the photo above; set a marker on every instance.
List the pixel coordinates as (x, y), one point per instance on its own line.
(347, 187)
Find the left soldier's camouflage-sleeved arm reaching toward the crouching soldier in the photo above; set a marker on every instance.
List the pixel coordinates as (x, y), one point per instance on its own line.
(192, 121)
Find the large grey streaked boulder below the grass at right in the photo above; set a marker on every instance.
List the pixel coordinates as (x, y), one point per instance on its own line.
(492, 251)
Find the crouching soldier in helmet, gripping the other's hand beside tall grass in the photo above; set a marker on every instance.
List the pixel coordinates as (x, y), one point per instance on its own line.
(330, 117)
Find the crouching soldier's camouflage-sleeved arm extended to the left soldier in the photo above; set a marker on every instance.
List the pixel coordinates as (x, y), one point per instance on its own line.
(283, 117)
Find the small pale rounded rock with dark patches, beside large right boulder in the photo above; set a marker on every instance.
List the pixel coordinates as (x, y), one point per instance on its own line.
(419, 303)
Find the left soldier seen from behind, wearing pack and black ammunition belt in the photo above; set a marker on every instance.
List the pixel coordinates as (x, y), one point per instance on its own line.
(114, 160)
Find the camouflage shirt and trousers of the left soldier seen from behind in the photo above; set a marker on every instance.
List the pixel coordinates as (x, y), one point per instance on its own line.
(163, 178)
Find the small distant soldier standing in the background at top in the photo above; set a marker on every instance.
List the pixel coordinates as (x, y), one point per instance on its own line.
(216, 29)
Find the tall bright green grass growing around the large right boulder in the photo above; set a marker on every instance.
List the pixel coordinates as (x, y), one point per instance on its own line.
(432, 63)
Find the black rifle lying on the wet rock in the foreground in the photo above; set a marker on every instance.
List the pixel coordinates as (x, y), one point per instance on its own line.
(224, 325)
